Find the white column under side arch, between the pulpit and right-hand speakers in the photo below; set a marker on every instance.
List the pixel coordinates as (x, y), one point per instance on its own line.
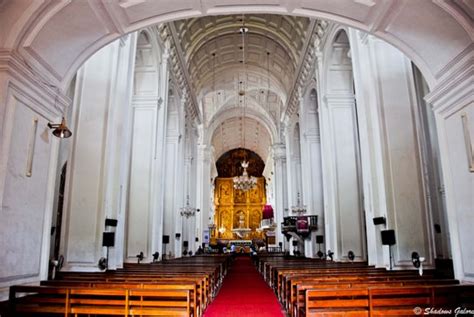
(347, 218)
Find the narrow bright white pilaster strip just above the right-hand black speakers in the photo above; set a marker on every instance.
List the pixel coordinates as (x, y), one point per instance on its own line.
(371, 145)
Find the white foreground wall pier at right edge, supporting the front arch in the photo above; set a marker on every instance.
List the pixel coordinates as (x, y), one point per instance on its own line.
(452, 100)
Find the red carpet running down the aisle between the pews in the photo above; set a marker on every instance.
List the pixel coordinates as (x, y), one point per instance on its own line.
(244, 293)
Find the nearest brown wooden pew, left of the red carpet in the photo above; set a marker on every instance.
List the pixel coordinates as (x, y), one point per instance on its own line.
(166, 301)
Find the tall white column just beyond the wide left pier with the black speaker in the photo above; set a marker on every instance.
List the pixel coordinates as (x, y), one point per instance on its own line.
(144, 204)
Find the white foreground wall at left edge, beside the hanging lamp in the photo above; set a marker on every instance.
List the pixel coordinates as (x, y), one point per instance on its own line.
(27, 174)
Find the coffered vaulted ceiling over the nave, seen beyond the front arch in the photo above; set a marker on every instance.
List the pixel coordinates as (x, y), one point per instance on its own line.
(235, 75)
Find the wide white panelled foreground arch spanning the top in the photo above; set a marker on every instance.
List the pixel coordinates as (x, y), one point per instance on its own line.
(37, 30)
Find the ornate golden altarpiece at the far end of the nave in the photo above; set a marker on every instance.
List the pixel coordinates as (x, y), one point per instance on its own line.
(238, 213)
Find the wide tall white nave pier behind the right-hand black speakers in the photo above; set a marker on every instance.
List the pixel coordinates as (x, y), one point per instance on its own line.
(392, 152)
